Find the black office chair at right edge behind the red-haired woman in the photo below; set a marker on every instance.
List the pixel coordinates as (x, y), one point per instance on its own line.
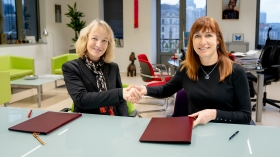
(270, 61)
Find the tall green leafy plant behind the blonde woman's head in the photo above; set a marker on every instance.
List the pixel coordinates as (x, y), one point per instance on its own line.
(76, 23)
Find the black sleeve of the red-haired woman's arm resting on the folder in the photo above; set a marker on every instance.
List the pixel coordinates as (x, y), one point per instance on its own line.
(242, 115)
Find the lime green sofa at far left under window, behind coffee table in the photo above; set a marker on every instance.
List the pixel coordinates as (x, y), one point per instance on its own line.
(17, 66)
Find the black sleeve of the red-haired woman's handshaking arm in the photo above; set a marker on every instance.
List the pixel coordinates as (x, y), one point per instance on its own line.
(168, 89)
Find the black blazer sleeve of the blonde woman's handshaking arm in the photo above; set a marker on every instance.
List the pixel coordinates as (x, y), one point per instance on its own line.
(84, 98)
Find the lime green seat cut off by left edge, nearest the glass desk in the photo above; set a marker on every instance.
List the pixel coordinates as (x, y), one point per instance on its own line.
(5, 86)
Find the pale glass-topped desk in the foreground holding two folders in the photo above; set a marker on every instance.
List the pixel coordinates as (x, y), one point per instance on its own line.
(99, 135)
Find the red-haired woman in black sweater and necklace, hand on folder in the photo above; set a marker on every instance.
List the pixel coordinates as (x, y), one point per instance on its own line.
(216, 87)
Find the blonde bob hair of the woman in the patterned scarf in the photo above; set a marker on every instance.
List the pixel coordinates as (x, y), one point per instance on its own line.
(81, 44)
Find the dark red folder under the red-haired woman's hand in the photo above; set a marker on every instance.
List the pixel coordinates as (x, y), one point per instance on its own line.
(169, 130)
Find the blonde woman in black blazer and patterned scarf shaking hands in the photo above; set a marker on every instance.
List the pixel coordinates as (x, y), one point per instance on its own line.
(93, 80)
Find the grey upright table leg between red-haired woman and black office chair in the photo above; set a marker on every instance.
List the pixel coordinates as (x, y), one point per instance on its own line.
(259, 104)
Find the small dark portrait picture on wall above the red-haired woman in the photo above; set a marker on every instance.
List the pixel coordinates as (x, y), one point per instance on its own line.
(230, 9)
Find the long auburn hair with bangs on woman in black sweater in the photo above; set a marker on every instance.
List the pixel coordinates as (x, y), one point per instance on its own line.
(192, 62)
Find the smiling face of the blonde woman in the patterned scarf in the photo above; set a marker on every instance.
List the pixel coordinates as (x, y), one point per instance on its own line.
(97, 42)
